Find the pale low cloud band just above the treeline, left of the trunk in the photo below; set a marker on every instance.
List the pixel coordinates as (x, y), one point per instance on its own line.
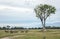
(33, 24)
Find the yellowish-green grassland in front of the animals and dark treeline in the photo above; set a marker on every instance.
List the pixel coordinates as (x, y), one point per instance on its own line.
(33, 34)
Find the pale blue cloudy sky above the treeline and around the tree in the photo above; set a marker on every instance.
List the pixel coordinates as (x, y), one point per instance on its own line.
(21, 13)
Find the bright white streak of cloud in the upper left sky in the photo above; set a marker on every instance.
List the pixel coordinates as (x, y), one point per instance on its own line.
(21, 9)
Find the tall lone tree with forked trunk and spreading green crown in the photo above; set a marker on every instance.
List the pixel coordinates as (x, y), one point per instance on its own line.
(43, 11)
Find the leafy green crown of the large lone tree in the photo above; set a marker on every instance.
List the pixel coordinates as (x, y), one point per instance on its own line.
(44, 10)
